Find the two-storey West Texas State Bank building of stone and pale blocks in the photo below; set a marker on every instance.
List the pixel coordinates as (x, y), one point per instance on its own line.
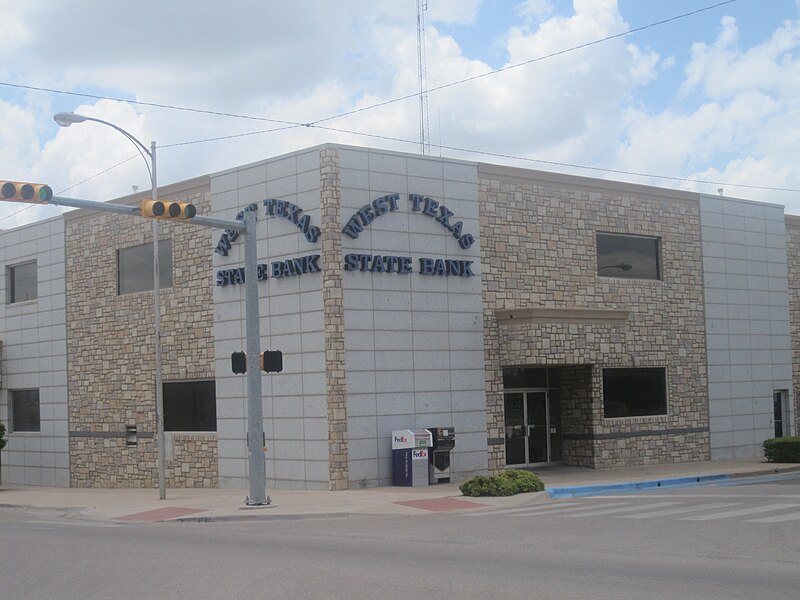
(540, 318)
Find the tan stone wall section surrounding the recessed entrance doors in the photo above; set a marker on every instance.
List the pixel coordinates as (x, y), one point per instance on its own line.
(538, 236)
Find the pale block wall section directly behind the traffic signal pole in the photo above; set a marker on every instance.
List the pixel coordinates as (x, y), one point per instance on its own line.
(294, 404)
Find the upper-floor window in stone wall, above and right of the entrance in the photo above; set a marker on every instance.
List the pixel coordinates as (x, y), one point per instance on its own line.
(629, 256)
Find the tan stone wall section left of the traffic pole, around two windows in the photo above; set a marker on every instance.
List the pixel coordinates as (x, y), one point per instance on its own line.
(110, 348)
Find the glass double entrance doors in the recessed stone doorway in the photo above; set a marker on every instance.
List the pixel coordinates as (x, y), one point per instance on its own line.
(532, 427)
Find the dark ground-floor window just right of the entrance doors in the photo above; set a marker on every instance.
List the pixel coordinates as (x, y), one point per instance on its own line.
(638, 392)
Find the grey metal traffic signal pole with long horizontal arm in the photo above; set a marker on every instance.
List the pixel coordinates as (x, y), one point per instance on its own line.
(255, 412)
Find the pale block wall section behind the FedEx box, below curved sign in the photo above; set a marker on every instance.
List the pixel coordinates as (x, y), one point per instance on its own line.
(413, 342)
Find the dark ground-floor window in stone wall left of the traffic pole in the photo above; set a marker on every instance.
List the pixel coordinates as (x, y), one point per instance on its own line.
(190, 406)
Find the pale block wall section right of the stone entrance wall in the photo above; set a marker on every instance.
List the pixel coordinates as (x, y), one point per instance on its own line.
(747, 321)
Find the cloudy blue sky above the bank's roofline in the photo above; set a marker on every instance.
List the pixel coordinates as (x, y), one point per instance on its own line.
(698, 95)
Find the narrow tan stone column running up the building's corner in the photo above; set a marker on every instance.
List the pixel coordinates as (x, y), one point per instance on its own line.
(333, 308)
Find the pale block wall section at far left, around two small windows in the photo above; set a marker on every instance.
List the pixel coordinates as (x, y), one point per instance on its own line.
(34, 356)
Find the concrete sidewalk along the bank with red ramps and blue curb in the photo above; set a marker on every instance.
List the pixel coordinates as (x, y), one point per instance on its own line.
(143, 505)
